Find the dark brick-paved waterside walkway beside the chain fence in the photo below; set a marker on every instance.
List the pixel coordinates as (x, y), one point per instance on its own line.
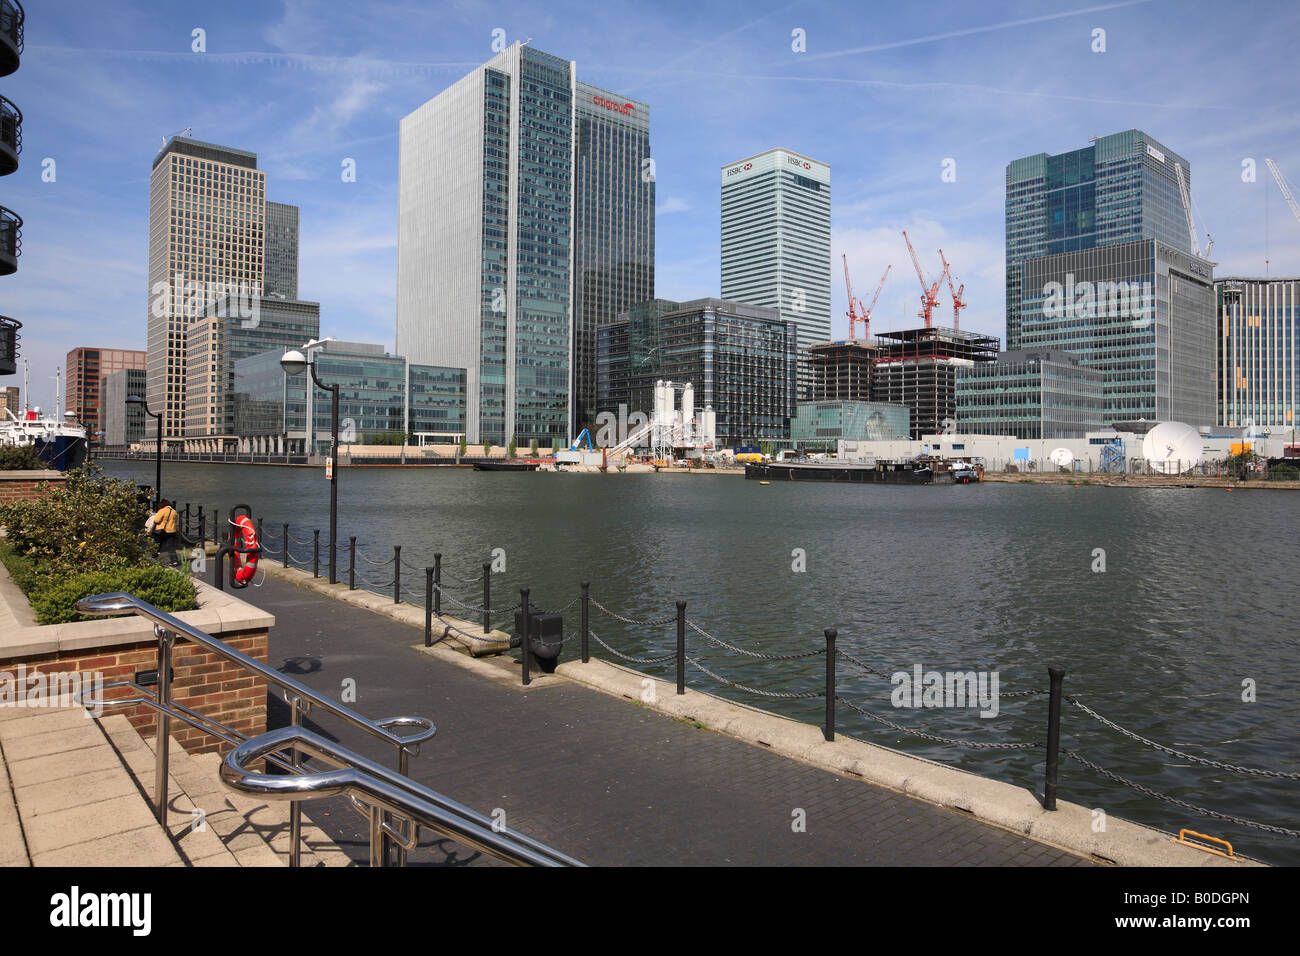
(600, 778)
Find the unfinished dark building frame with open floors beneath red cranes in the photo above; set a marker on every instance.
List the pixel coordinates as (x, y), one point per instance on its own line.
(913, 367)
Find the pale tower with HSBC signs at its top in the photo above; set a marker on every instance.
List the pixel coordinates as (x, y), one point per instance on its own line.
(777, 243)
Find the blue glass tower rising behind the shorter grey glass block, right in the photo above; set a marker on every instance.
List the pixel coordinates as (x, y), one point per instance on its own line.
(1120, 189)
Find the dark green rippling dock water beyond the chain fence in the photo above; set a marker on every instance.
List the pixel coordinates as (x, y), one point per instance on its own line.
(1198, 596)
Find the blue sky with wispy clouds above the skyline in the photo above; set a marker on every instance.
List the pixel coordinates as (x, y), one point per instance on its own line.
(885, 94)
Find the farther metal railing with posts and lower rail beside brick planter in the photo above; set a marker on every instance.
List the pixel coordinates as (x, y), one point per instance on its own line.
(300, 698)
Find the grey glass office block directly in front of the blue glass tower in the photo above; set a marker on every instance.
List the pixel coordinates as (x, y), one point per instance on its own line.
(1141, 313)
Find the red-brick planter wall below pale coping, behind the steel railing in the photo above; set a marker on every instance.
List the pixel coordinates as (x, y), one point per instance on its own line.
(202, 682)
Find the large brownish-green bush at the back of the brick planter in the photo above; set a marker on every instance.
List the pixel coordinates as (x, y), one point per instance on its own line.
(86, 524)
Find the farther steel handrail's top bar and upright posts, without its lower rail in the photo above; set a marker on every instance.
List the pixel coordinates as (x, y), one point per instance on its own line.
(301, 699)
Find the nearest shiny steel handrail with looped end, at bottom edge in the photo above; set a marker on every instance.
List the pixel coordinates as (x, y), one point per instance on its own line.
(384, 790)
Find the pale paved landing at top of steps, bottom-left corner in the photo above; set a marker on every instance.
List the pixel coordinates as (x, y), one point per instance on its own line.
(76, 803)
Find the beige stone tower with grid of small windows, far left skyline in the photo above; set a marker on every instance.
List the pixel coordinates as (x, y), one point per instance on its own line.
(207, 220)
